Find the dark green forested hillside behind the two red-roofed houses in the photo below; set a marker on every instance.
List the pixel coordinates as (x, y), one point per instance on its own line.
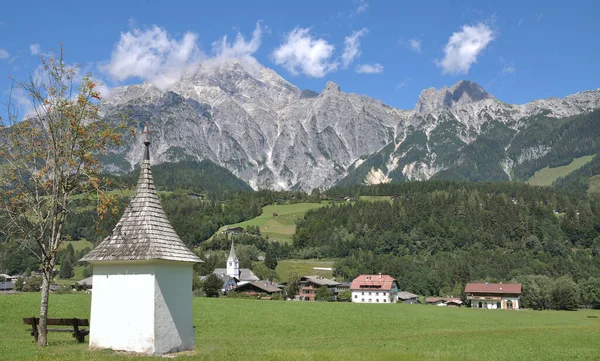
(439, 234)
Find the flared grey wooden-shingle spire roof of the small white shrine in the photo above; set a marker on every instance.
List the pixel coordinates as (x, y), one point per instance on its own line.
(143, 232)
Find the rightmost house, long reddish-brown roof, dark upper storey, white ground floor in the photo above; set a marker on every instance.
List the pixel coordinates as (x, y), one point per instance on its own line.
(505, 296)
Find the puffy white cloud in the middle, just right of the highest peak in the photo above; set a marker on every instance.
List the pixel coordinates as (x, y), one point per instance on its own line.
(301, 53)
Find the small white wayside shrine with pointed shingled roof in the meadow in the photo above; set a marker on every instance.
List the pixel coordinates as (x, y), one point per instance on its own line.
(142, 299)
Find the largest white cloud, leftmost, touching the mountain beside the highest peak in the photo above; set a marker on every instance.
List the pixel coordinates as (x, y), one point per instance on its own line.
(153, 55)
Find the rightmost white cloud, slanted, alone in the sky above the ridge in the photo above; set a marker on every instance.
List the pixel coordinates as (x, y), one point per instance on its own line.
(464, 47)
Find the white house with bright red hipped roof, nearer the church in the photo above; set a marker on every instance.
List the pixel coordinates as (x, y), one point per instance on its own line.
(374, 289)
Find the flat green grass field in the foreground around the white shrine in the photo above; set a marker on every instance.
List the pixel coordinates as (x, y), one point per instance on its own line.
(235, 329)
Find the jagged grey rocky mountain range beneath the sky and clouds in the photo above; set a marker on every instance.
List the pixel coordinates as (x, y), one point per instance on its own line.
(271, 134)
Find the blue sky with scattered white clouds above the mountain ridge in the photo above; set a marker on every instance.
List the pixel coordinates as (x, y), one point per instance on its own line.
(390, 50)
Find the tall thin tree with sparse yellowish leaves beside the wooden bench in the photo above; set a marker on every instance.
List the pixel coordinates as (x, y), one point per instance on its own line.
(48, 158)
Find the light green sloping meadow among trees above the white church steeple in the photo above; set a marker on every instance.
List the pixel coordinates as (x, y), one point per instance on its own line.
(282, 227)
